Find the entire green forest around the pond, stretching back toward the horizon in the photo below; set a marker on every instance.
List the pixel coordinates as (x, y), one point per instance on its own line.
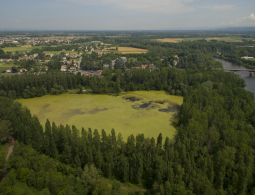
(212, 152)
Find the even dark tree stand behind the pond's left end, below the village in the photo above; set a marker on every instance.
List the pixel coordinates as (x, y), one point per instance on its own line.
(31, 85)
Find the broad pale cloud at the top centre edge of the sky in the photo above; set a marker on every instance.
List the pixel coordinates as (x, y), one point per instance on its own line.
(149, 6)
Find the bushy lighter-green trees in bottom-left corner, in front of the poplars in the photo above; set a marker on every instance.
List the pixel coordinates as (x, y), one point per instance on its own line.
(49, 176)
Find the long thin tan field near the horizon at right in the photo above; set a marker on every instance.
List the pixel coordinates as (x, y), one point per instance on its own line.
(177, 40)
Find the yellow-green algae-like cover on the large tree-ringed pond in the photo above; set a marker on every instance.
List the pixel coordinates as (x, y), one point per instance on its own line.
(107, 112)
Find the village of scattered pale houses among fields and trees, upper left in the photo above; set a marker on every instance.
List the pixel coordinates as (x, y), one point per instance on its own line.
(67, 51)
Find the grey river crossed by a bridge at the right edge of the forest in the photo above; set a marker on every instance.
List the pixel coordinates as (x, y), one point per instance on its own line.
(250, 81)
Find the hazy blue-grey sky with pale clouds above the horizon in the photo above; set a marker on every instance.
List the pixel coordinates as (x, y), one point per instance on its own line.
(125, 14)
